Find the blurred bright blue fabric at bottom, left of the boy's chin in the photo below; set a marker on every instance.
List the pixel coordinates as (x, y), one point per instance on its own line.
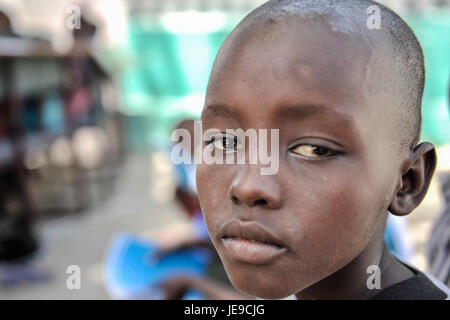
(133, 271)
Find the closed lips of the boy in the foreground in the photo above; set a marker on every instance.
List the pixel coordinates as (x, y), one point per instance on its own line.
(250, 242)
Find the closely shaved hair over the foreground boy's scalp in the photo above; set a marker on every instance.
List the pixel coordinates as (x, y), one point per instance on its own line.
(401, 82)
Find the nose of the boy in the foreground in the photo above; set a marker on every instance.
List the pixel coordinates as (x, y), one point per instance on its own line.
(250, 188)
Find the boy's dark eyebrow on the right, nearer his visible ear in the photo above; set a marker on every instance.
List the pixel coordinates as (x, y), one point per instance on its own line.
(302, 111)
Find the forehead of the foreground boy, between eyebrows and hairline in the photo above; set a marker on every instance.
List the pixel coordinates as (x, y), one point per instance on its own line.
(291, 62)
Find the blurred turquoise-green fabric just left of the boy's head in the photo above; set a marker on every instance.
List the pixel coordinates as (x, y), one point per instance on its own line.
(166, 76)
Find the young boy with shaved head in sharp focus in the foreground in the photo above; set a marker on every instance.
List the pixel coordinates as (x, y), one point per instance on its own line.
(346, 98)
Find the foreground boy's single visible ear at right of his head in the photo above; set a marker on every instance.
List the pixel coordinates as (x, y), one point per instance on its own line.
(416, 178)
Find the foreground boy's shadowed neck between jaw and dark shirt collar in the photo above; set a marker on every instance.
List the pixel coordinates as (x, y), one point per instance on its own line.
(350, 282)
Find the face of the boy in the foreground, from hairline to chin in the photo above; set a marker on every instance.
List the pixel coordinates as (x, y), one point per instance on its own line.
(337, 164)
